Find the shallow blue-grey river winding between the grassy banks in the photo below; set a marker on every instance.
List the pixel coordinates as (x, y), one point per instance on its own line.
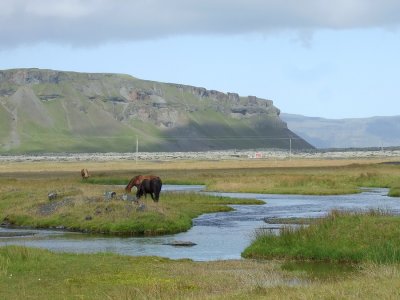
(218, 235)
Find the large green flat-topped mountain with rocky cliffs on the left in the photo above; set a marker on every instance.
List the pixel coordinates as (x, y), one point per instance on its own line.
(56, 111)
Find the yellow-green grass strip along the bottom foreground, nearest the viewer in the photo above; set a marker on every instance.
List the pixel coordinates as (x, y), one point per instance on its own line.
(40, 274)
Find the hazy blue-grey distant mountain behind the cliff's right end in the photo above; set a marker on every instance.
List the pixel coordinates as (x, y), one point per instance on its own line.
(346, 133)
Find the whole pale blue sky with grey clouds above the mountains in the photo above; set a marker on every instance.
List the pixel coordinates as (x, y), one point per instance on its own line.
(320, 58)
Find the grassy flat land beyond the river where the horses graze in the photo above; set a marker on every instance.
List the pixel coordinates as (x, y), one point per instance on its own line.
(24, 187)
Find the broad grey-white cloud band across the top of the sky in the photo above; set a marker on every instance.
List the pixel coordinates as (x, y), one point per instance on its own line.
(92, 22)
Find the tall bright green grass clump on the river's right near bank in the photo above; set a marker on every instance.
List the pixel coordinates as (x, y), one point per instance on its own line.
(349, 237)
